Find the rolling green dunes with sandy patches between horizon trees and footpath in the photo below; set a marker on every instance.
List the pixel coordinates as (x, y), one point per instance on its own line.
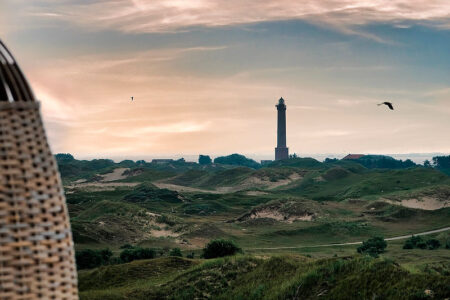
(289, 202)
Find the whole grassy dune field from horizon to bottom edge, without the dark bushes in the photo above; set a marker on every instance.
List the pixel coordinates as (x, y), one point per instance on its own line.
(285, 215)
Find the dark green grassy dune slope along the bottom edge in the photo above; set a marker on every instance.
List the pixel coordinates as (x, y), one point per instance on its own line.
(249, 277)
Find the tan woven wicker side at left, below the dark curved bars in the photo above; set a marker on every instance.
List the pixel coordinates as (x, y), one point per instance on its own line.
(36, 248)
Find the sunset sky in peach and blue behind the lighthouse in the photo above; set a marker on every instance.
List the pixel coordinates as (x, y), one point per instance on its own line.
(206, 75)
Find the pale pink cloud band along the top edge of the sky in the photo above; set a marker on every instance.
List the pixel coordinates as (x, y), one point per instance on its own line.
(141, 16)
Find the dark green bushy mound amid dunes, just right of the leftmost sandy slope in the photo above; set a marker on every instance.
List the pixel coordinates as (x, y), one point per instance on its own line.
(148, 192)
